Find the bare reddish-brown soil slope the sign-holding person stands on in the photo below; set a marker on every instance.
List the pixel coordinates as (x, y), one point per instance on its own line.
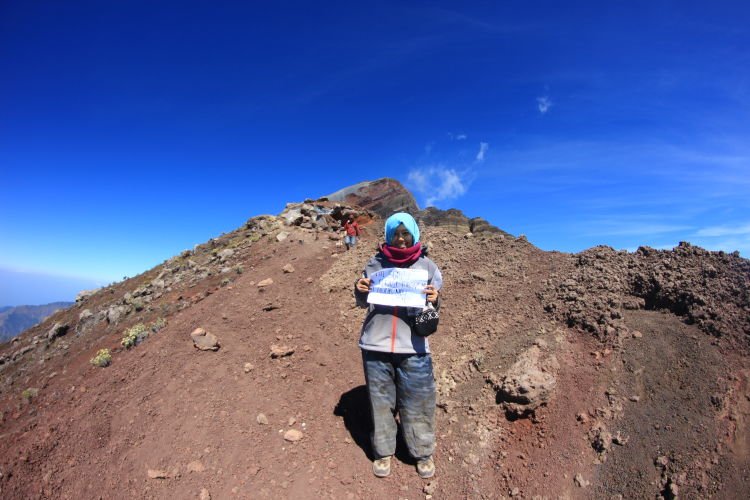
(674, 397)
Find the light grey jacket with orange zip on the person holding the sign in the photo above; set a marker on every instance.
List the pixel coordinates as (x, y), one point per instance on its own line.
(386, 328)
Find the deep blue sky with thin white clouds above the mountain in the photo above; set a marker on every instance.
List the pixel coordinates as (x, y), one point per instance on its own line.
(131, 130)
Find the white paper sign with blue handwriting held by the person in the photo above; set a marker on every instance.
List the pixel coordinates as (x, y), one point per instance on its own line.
(398, 287)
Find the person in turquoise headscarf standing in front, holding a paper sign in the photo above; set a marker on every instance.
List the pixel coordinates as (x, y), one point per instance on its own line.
(397, 361)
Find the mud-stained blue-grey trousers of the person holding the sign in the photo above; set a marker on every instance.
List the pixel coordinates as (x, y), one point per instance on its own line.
(401, 383)
